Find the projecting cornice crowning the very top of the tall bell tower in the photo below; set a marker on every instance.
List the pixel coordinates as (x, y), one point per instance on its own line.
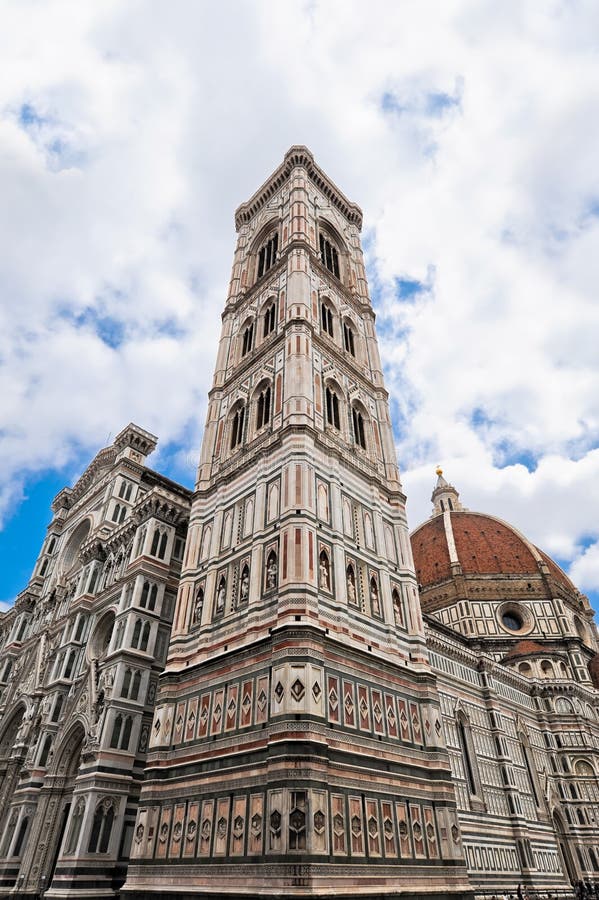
(298, 155)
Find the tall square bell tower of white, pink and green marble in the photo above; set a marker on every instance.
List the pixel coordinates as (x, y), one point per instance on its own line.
(296, 748)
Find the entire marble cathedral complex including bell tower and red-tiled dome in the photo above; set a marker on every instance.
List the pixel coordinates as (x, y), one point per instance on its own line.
(265, 687)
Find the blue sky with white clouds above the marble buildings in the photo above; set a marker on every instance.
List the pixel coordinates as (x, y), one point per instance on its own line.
(467, 131)
